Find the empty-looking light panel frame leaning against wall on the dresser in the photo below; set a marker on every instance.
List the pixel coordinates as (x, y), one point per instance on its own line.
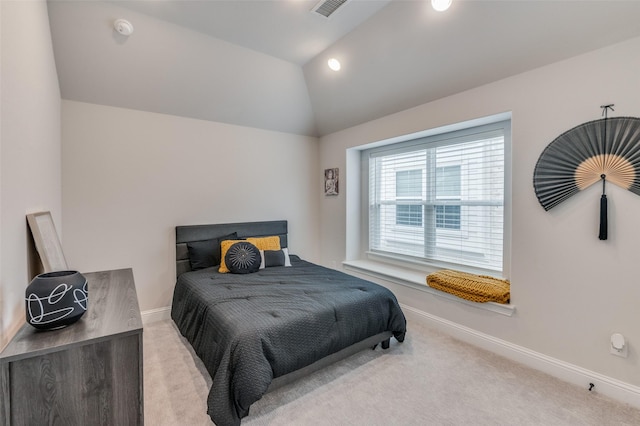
(47, 242)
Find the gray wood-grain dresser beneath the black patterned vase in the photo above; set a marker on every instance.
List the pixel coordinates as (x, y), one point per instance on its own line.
(89, 373)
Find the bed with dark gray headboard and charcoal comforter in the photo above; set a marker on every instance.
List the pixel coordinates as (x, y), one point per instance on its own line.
(258, 331)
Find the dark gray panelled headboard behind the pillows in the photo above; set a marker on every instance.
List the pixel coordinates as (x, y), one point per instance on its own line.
(188, 233)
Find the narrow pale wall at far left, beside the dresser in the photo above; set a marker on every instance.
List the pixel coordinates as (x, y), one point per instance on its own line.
(29, 147)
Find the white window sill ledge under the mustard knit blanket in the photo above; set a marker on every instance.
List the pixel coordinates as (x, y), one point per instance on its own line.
(417, 280)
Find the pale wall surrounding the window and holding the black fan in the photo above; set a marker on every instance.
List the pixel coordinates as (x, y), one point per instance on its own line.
(571, 290)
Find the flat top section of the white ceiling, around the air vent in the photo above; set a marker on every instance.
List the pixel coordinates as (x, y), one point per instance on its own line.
(282, 28)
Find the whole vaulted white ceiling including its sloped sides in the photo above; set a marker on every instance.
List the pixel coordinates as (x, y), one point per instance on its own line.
(263, 63)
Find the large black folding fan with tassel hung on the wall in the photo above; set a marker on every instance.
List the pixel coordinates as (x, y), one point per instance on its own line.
(603, 150)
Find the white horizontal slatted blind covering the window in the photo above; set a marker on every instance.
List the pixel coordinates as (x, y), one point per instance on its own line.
(440, 199)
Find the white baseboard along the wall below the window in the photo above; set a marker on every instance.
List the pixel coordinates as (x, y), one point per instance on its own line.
(613, 388)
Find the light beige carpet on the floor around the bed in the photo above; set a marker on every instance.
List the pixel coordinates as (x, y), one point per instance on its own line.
(430, 379)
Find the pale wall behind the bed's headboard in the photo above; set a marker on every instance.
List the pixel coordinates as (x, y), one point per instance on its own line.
(129, 177)
